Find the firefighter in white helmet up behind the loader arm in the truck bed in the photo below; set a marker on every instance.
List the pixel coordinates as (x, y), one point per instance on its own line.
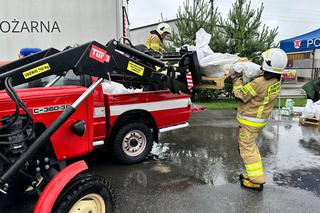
(155, 40)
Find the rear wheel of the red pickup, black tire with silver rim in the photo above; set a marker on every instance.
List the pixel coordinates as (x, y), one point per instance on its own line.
(122, 149)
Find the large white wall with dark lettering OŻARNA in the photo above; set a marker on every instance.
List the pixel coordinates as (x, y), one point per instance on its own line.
(71, 22)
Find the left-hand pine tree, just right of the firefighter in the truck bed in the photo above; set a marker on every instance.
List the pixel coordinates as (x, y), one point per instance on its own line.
(190, 19)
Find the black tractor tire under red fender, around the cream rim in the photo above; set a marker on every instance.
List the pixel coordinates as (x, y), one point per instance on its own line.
(84, 185)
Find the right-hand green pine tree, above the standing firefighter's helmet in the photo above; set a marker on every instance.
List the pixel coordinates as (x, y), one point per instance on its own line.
(243, 31)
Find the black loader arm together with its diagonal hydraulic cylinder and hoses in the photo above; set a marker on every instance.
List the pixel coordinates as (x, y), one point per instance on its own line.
(93, 59)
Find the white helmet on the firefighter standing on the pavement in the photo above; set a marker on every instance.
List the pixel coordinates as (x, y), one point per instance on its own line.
(274, 60)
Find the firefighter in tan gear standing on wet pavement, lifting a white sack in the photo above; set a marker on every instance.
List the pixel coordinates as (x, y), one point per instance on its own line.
(255, 103)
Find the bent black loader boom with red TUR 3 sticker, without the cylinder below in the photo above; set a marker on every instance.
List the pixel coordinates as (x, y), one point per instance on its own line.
(93, 59)
